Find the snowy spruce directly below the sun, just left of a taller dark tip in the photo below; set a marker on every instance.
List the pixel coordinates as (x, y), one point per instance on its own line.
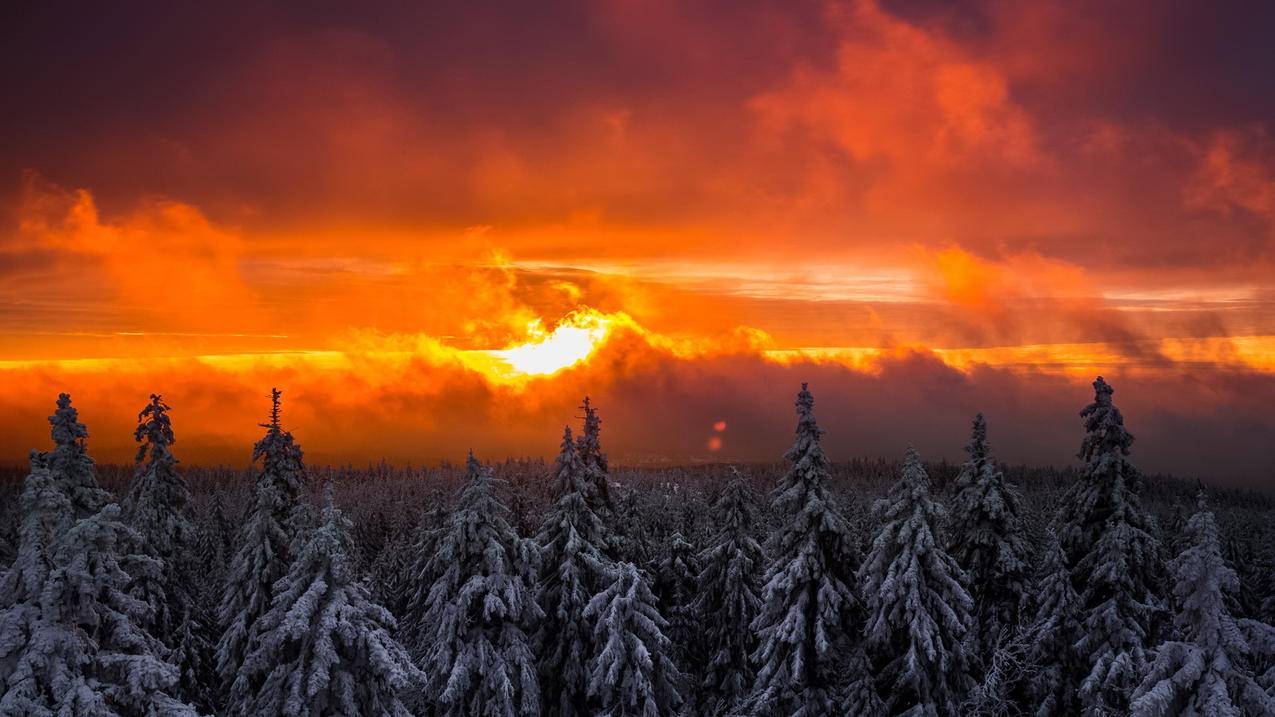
(574, 571)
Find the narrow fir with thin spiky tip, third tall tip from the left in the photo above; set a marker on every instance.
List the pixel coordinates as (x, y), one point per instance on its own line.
(266, 544)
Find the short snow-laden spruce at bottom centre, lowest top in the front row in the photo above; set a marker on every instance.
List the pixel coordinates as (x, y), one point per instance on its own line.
(632, 672)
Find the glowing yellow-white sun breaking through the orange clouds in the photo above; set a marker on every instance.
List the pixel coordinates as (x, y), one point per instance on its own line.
(546, 353)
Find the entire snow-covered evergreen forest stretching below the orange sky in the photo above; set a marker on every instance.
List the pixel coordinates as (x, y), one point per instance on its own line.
(577, 589)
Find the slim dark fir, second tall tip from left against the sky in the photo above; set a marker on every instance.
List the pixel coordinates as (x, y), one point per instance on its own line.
(157, 508)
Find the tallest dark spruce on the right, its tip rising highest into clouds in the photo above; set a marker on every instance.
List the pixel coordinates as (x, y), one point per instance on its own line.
(1114, 556)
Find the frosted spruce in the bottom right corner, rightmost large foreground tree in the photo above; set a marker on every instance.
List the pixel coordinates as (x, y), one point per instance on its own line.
(1208, 670)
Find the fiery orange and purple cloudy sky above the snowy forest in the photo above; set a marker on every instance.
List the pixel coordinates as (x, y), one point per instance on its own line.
(437, 226)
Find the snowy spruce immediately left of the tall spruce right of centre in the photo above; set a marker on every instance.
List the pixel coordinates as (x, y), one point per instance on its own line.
(727, 600)
